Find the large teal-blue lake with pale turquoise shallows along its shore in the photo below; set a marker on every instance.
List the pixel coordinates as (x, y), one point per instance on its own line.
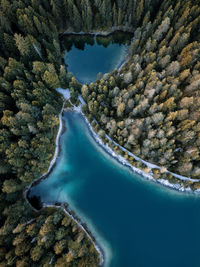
(137, 222)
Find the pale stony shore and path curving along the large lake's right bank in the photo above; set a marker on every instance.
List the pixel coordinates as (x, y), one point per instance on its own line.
(150, 166)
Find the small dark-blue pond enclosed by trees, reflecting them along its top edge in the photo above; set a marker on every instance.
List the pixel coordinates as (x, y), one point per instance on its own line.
(86, 56)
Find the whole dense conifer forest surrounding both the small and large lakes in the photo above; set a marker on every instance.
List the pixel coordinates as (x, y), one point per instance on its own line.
(151, 107)
